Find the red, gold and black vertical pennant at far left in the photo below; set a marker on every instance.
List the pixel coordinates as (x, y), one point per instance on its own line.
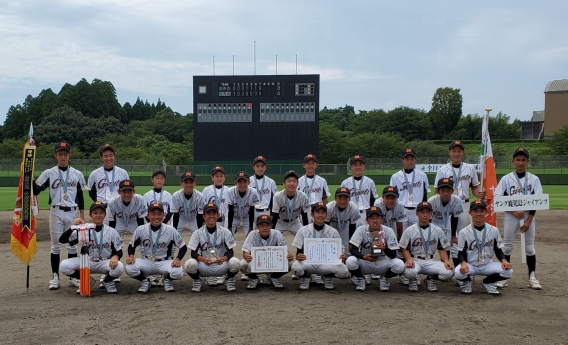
(23, 242)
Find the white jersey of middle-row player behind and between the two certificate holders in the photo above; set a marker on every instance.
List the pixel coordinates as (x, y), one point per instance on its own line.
(289, 210)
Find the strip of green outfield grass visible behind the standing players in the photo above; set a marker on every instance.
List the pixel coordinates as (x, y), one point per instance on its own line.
(558, 196)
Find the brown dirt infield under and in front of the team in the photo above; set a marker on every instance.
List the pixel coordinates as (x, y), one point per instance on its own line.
(266, 316)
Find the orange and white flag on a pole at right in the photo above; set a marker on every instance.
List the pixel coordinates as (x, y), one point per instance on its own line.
(488, 175)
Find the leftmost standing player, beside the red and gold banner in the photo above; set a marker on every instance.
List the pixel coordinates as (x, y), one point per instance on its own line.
(66, 186)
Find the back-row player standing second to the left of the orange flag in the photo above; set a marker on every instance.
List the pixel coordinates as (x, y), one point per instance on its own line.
(412, 186)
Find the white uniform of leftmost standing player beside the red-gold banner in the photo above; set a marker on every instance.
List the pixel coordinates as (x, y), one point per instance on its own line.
(66, 187)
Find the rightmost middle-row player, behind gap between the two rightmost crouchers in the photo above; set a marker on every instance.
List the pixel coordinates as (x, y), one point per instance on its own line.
(446, 210)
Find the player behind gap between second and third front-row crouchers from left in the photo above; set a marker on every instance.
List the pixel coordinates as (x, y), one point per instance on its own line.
(186, 204)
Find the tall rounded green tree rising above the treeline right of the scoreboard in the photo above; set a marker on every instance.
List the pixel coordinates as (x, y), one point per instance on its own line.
(446, 109)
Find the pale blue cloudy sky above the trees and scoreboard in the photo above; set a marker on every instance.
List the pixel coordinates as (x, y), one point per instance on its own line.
(370, 54)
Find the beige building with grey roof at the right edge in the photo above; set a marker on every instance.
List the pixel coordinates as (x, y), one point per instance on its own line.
(555, 106)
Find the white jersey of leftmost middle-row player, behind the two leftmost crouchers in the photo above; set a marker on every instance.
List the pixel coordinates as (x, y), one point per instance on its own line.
(126, 216)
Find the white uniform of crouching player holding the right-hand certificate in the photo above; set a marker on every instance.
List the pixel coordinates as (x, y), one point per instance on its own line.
(300, 268)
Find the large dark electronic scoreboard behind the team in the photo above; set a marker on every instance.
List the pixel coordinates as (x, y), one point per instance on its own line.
(239, 117)
